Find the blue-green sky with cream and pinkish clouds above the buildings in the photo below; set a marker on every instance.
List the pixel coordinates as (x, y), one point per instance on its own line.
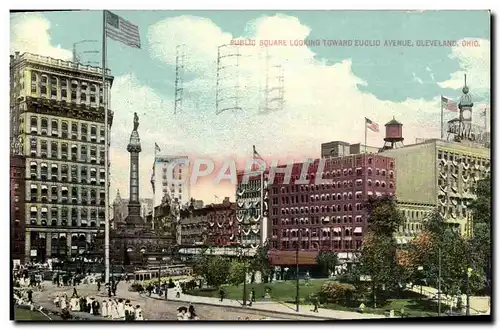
(328, 90)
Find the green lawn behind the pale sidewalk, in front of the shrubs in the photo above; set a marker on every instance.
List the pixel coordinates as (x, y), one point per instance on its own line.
(280, 291)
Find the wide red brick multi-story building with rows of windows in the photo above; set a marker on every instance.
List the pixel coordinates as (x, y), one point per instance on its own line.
(315, 217)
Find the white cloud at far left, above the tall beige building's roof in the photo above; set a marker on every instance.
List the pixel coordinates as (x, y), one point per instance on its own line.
(29, 32)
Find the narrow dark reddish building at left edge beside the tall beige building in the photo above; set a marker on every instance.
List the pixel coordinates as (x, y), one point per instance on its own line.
(17, 209)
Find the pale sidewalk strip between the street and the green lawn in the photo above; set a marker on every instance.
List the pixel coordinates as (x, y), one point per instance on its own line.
(272, 306)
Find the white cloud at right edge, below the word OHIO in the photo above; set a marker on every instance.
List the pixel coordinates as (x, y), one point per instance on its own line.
(475, 62)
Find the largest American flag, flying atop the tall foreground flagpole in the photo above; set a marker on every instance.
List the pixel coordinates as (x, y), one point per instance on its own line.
(122, 30)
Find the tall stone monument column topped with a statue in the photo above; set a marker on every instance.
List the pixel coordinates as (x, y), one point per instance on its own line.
(134, 205)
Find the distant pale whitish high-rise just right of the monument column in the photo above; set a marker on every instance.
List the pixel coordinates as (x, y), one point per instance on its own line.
(179, 190)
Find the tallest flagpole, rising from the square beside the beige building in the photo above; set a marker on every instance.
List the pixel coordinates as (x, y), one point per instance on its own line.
(106, 149)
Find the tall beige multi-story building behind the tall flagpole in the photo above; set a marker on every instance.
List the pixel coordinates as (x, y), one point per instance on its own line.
(58, 115)
